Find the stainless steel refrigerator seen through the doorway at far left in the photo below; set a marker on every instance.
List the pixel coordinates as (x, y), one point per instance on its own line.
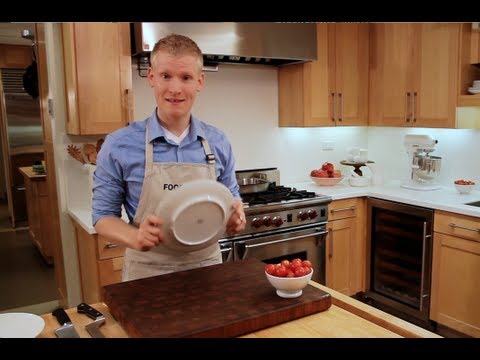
(22, 139)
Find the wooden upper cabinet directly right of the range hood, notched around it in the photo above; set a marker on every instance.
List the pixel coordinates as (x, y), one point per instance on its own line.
(331, 91)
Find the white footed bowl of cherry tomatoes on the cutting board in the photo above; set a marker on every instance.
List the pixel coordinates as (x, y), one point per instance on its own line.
(289, 278)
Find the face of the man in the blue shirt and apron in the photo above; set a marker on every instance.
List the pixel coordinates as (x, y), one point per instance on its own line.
(175, 81)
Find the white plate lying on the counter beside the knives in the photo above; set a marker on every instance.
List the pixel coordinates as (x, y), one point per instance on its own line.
(20, 325)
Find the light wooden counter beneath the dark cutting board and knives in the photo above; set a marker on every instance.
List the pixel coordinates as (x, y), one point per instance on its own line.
(346, 318)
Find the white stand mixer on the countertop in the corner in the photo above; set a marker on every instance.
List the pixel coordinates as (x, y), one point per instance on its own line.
(424, 167)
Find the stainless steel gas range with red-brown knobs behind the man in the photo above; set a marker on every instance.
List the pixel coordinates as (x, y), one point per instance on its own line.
(281, 223)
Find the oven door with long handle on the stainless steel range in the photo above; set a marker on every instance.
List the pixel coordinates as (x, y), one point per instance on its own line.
(302, 242)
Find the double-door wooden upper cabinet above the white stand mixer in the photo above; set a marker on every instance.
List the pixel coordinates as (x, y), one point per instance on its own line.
(413, 74)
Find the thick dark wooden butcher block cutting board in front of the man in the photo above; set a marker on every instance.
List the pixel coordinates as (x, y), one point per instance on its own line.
(224, 300)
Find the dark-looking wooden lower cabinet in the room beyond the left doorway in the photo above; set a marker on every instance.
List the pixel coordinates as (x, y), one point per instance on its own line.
(39, 212)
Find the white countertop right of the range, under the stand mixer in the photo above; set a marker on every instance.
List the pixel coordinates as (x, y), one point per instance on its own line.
(446, 198)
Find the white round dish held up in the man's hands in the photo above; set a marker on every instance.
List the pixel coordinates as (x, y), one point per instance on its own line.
(195, 215)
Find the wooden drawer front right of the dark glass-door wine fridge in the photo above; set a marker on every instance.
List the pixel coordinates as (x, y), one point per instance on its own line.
(467, 227)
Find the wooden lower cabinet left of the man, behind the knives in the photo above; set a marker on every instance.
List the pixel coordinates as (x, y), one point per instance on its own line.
(100, 263)
